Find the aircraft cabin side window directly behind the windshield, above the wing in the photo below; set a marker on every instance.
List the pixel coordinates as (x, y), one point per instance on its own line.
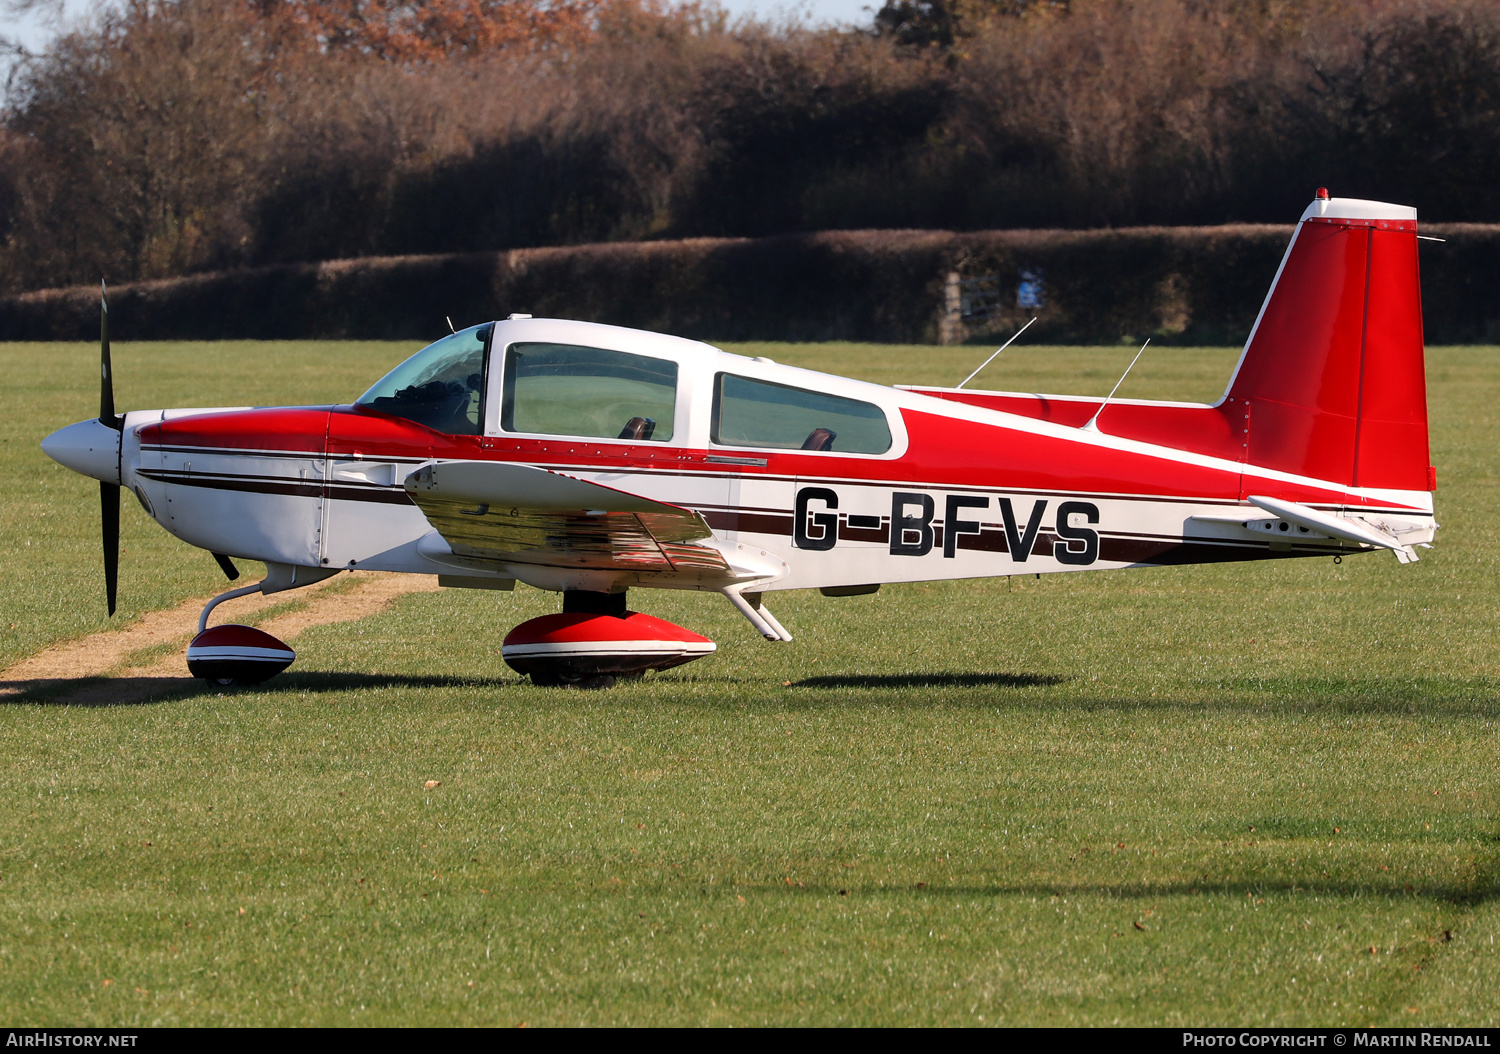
(562, 389)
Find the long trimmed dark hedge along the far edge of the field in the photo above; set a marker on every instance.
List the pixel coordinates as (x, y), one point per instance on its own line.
(1184, 286)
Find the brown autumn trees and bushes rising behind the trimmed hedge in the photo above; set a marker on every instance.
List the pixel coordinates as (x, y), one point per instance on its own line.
(169, 137)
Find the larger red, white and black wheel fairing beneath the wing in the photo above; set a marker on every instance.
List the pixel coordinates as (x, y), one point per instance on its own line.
(596, 641)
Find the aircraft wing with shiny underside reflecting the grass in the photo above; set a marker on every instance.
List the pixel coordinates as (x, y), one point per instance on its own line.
(524, 515)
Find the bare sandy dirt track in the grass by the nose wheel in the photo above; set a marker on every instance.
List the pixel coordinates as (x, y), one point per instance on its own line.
(130, 666)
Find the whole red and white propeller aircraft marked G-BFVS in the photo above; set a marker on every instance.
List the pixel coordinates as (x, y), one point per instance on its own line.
(590, 460)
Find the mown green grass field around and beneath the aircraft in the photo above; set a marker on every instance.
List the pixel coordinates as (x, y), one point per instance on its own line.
(1204, 795)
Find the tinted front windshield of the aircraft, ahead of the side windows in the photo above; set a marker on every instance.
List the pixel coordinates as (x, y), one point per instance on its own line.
(442, 386)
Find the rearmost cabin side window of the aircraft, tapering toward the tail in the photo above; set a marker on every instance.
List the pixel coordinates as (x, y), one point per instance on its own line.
(763, 415)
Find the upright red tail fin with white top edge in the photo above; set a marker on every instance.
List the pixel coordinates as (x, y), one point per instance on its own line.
(1333, 376)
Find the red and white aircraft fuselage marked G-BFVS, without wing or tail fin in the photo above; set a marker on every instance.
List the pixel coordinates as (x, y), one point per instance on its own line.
(967, 485)
